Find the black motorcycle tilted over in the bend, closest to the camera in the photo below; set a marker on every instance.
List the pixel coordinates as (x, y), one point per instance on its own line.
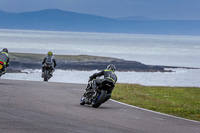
(96, 97)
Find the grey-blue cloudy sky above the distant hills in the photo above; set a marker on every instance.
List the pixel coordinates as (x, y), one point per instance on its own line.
(155, 9)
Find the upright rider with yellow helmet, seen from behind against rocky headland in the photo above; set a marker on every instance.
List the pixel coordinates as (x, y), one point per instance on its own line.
(50, 60)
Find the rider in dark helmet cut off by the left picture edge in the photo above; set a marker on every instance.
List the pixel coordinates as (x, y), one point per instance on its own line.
(4, 58)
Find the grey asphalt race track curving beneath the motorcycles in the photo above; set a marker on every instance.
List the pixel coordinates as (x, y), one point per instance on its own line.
(38, 107)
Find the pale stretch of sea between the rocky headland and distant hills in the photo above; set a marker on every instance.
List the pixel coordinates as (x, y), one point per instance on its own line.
(170, 50)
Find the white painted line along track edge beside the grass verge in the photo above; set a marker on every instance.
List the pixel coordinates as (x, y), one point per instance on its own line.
(154, 111)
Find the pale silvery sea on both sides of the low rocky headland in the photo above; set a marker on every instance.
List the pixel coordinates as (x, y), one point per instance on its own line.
(168, 50)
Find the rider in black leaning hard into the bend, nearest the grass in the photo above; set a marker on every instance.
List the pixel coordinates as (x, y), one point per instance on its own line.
(109, 76)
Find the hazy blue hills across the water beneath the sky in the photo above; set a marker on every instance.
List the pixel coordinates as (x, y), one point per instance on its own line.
(58, 20)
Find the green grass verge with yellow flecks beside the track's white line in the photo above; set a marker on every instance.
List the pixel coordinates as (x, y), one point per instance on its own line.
(178, 101)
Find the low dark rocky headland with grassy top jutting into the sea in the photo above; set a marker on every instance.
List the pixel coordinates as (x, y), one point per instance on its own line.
(22, 61)
